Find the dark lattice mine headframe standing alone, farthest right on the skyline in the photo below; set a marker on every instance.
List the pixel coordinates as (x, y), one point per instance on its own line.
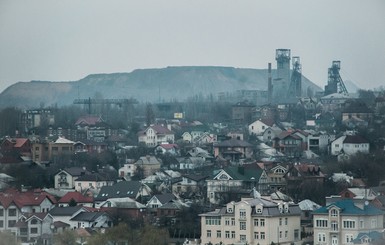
(335, 83)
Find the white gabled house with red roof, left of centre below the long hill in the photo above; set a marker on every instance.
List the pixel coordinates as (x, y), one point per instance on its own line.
(155, 135)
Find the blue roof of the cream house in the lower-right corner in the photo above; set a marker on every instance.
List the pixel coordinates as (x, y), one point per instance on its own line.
(347, 207)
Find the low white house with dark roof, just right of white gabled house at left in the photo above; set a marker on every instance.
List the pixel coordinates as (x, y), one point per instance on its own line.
(93, 182)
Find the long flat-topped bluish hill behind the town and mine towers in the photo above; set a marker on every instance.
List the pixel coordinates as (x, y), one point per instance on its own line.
(145, 85)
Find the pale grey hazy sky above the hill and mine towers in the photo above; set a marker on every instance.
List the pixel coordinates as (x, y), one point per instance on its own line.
(65, 40)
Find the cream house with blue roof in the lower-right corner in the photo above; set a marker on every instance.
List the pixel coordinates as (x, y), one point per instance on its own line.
(341, 222)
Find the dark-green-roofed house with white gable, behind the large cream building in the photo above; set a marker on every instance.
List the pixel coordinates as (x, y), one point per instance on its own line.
(235, 182)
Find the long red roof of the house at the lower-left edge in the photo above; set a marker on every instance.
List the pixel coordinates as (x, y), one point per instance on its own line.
(21, 199)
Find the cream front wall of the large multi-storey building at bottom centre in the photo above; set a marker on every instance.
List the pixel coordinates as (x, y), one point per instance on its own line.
(229, 231)
